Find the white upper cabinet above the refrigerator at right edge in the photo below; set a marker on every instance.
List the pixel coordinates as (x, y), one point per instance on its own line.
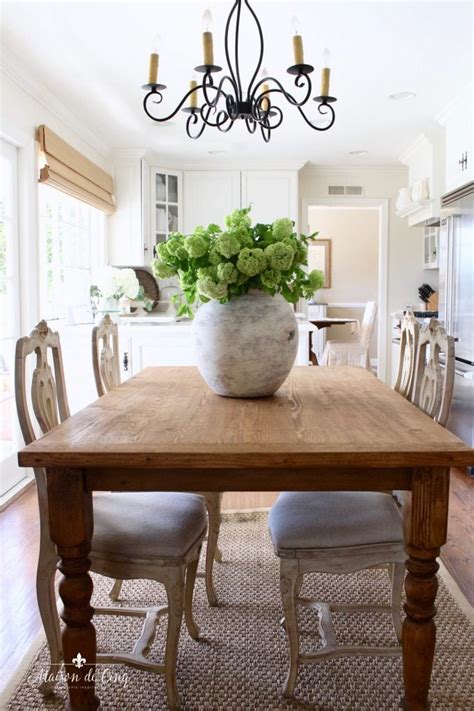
(458, 121)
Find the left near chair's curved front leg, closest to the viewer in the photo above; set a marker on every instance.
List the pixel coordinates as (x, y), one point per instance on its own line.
(174, 585)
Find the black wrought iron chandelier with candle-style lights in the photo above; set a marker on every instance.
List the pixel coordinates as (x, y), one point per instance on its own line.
(226, 101)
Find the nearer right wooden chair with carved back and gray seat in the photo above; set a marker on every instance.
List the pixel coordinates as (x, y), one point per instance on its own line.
(342, 532)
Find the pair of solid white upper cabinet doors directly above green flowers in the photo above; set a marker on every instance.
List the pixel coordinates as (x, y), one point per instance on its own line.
(211, 195)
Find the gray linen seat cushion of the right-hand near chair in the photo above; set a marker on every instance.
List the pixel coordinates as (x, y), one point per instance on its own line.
(340, 519)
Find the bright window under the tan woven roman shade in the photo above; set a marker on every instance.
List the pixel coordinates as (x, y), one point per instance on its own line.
(72, 250)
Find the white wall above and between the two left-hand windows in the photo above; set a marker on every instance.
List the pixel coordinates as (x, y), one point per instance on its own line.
(23, 109)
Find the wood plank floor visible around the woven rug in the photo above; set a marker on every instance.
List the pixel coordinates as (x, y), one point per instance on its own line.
(19, 533)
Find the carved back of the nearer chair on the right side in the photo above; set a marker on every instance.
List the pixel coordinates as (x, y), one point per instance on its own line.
(434, 379)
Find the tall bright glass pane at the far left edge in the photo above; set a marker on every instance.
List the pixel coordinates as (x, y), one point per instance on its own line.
(11, 475)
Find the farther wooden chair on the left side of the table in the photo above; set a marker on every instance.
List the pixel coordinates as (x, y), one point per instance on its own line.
(106, 365)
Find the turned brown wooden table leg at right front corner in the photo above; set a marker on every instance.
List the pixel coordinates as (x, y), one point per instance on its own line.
(425, 520)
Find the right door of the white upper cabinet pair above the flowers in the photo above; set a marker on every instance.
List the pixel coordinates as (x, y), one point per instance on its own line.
(271, 193)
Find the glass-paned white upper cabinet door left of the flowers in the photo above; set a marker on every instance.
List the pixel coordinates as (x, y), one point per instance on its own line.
(166, 204)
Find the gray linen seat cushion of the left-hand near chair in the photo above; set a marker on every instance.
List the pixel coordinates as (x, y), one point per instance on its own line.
(147, 525)
